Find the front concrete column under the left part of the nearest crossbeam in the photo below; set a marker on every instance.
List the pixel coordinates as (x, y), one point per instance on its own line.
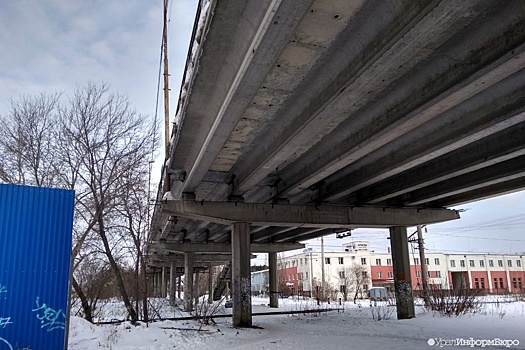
(241, 275)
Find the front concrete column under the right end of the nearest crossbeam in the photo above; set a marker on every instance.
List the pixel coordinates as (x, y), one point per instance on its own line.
(402, 277)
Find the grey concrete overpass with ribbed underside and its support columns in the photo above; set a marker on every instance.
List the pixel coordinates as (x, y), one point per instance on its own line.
(298, 118)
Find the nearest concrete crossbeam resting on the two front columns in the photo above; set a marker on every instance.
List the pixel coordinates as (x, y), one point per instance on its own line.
(323, 216)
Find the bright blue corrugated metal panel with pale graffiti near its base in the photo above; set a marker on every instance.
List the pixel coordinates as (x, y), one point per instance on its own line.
(35, 252)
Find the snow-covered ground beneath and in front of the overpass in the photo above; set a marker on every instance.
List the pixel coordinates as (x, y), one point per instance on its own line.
(351, 328)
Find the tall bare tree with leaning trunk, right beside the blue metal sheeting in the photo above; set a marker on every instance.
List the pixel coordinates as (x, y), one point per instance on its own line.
(104, 142)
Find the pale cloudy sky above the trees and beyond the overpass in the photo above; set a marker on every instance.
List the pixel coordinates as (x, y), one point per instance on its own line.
(57, 45)
